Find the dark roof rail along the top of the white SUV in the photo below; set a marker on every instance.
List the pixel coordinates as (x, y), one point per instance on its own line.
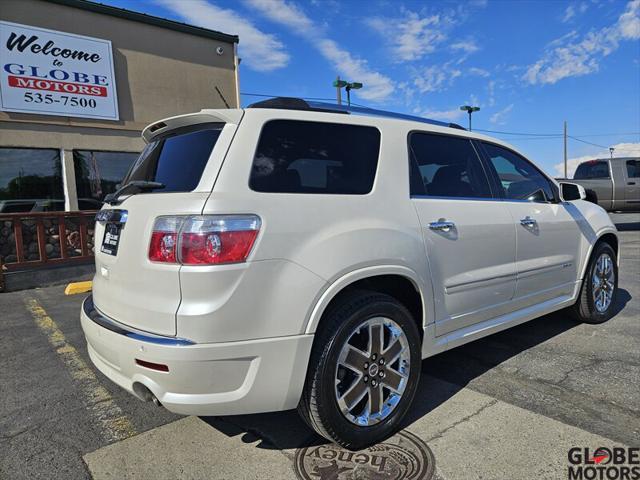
(292, 103)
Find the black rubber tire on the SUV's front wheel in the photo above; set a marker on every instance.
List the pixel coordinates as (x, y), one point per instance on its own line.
(585, 309)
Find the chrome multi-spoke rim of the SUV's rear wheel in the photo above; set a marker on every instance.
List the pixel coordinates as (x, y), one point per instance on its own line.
(372, 371)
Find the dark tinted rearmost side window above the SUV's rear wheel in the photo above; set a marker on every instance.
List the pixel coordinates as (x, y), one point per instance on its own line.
(314, 157)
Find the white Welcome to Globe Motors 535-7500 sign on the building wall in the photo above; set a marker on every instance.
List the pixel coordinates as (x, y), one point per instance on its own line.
(56, 73)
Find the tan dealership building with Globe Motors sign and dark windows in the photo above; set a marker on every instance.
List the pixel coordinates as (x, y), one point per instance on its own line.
(80, 80)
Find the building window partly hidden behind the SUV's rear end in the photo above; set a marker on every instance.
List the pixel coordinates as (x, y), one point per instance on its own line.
(98, 173)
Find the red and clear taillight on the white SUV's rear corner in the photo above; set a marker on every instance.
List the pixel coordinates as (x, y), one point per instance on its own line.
(203, 239)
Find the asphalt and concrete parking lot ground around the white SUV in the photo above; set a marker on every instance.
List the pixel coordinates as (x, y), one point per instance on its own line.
(509, 406)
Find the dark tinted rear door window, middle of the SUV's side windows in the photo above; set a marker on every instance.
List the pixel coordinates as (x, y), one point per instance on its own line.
(444, 166)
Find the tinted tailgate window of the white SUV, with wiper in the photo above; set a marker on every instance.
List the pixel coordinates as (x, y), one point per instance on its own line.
(177, 158)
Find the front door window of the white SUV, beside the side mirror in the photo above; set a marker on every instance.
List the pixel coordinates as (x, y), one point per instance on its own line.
(519, 179)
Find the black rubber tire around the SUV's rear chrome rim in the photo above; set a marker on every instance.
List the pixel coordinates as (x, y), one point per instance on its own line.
(319, 406)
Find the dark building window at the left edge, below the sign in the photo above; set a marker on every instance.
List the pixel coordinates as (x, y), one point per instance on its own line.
(30, 180)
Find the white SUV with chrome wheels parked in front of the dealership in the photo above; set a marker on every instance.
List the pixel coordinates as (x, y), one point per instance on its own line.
(306, 255)
